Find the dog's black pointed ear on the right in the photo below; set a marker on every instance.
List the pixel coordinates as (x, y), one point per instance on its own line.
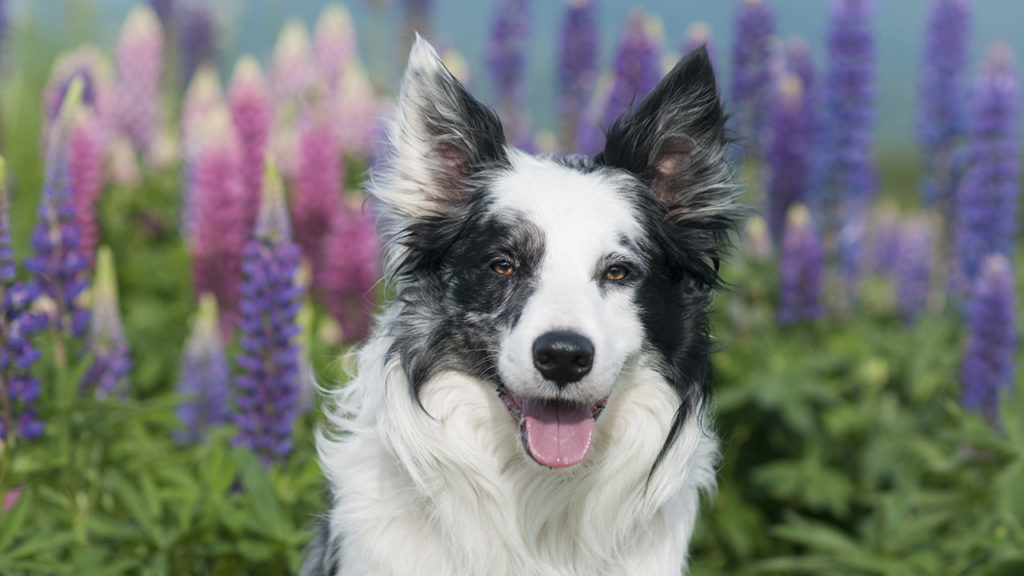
(675, 141)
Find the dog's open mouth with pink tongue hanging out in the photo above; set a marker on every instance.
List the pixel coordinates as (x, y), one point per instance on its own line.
(558, 433)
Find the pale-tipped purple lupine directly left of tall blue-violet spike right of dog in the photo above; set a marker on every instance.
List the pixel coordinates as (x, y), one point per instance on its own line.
(790, 153)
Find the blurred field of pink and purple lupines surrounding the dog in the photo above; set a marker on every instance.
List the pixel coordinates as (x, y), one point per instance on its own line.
(187, 252)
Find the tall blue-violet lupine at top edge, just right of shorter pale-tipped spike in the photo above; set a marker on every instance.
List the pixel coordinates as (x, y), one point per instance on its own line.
(849, 111)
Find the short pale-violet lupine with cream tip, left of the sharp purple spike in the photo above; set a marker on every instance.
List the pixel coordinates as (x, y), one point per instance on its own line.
(205, 380)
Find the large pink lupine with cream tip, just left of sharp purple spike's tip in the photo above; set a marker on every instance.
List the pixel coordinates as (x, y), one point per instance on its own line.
(221, 233)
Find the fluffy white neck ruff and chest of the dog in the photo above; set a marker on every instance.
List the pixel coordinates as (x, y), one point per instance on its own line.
(450, 490)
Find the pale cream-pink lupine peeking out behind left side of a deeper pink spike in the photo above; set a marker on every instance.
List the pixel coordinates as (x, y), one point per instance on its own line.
(203, 97)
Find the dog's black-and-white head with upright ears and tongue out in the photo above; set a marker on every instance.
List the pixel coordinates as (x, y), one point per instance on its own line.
(551, 278)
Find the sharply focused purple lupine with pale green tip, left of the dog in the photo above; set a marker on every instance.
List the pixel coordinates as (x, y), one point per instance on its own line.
(268, 385)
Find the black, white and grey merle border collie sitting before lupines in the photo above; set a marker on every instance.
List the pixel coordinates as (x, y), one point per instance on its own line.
(533, 400)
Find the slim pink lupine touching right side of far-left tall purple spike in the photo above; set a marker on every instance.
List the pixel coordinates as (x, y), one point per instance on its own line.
(88, 152)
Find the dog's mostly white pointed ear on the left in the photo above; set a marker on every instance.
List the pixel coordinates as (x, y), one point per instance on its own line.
(441, 138)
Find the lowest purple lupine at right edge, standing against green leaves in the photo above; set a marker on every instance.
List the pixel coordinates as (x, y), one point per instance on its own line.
(989, 364)
